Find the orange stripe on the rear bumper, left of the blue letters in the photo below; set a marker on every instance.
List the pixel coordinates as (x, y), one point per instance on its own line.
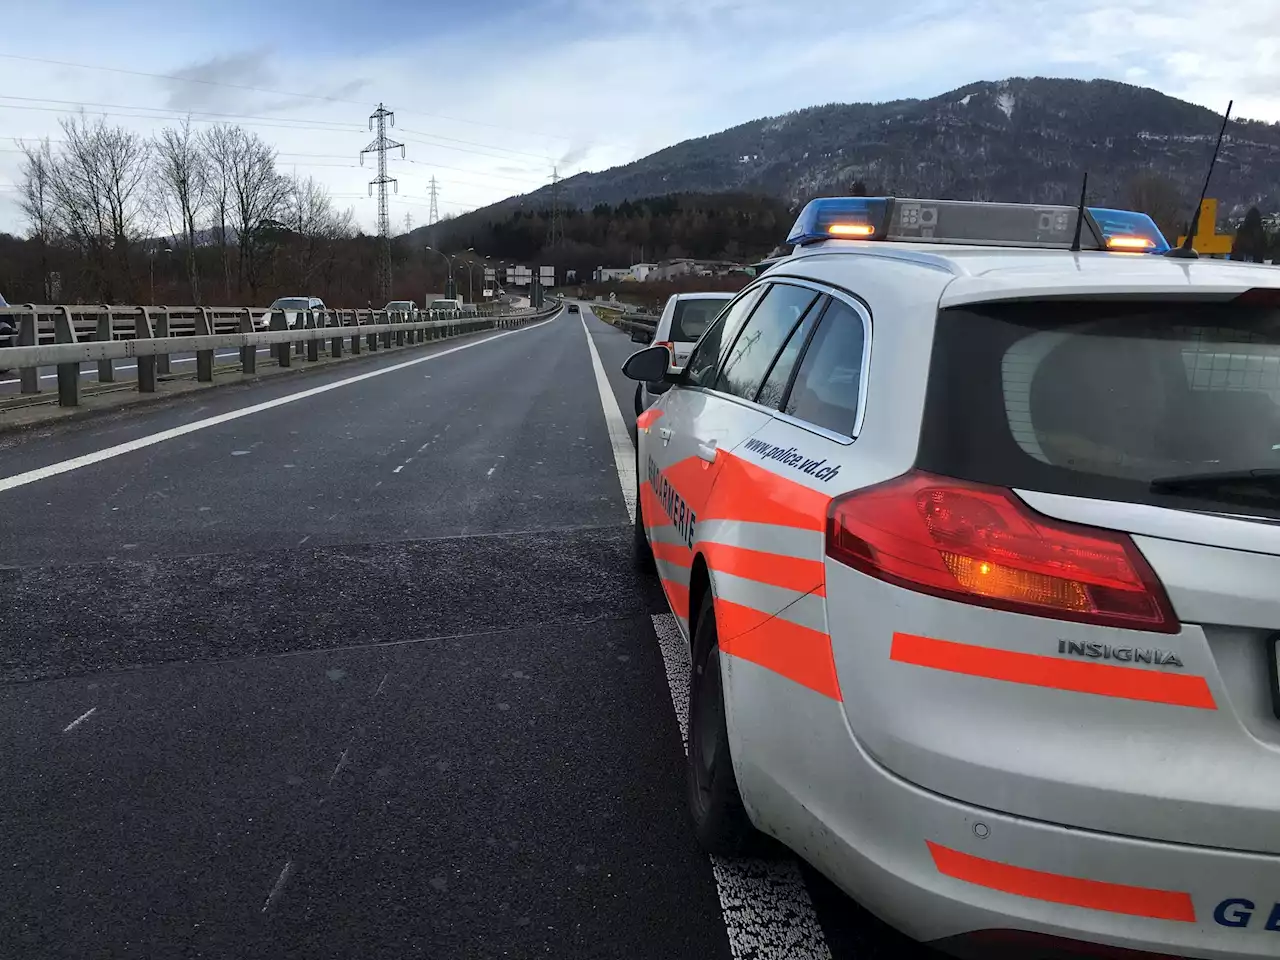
(1058, 889)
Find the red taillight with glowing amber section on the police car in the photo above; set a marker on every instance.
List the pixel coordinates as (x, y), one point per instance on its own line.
(981, 545)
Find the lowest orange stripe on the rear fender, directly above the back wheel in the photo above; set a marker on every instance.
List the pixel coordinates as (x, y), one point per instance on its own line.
(798, 653)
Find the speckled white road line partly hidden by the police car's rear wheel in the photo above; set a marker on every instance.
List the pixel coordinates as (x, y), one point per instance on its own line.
(769, 913)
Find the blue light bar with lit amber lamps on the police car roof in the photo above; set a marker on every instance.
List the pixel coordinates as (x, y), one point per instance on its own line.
(971, 222)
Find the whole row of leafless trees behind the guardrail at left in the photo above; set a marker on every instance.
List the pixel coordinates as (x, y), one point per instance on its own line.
(103, 203)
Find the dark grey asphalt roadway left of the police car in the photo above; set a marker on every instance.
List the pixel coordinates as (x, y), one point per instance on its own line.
(363, 674)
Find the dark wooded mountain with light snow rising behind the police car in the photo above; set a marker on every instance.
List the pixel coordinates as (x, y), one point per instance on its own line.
(1013, 140)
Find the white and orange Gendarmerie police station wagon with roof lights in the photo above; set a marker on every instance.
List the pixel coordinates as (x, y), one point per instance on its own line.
(976, 541)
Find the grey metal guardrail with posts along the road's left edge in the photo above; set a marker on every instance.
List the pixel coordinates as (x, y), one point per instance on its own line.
(70, 336)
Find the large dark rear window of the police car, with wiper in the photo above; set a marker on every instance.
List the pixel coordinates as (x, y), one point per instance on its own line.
(1110, 401)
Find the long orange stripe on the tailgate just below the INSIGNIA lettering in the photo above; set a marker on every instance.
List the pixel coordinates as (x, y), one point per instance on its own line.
(1039, 670)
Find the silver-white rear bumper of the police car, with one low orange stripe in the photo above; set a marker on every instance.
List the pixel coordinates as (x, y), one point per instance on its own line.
(968, 879)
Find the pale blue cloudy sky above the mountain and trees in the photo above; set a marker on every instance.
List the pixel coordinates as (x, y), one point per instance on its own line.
(492, 97)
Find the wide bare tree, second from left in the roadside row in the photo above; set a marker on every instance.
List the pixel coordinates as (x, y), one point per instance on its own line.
(98, 188)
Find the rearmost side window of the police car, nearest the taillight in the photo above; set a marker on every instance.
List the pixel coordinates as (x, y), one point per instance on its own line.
(830, 381)
